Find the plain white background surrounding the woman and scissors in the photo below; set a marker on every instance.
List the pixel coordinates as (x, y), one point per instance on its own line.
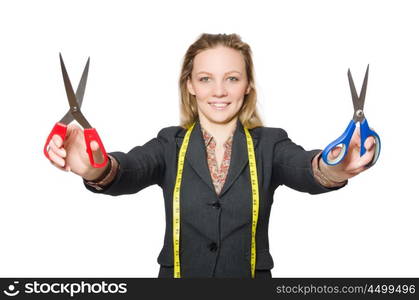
(50, 225)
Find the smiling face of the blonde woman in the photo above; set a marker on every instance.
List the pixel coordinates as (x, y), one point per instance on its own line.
(219, 83)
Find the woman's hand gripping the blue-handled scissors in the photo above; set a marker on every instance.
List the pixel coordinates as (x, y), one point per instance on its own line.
(353, 163)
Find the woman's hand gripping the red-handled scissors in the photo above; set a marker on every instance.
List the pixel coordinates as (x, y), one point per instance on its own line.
(72, 155)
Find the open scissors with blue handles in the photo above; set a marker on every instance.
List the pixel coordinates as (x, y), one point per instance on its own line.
(359, 116)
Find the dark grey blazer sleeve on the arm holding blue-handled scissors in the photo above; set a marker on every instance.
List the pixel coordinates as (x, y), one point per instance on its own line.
(292, 166)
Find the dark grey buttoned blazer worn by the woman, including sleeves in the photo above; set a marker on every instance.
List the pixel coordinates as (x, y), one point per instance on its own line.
(216, 229)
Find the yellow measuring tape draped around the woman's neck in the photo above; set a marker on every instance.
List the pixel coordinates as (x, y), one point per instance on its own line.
(176, 200)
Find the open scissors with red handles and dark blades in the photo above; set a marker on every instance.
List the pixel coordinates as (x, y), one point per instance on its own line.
(74, 113)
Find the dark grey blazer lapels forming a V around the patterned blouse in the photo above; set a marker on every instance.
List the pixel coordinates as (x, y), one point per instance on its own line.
(196, 155)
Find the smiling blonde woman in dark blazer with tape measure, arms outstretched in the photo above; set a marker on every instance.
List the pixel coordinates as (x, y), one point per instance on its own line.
(218, 170)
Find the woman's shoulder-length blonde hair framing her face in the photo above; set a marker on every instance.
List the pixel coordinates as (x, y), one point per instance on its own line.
(248, 114)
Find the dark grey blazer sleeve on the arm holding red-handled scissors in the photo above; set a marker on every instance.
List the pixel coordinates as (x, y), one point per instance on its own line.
(141, 167)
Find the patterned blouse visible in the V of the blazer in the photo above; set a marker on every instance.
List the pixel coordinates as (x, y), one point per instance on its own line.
(218, 175)
